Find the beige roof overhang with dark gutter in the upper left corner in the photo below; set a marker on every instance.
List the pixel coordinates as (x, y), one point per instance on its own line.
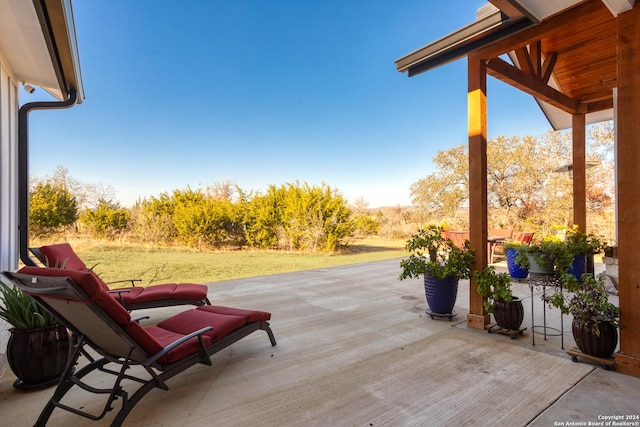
(38, 41)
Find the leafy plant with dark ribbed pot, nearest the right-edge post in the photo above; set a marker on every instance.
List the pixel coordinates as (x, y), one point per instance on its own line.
(595, 319)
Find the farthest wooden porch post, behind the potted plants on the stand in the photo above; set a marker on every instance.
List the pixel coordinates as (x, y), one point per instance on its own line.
(579, 174)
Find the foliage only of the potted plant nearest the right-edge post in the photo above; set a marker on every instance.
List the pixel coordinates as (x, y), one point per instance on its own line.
(587, 301)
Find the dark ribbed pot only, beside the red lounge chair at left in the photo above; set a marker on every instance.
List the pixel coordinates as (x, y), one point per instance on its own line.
(38, 356)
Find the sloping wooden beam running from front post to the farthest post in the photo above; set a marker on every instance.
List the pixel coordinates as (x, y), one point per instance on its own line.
(528, 83)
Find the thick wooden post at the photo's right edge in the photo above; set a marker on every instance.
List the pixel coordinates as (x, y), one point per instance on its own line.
(628, 156)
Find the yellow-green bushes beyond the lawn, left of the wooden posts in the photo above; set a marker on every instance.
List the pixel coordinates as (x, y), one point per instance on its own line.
(293, 216)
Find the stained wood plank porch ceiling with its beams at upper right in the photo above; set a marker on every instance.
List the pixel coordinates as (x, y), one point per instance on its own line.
(568, 60)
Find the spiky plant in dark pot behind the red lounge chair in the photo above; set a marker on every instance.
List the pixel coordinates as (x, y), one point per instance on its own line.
(39, 346)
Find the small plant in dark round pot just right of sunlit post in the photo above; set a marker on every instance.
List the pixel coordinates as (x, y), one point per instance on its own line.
(507, 310)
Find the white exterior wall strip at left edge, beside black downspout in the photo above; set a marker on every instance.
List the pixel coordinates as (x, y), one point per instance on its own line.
(8, 169)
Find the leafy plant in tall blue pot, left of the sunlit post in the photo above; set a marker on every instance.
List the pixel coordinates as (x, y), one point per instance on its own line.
(441, 263)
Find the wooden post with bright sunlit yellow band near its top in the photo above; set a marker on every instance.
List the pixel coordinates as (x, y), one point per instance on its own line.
(477, 105)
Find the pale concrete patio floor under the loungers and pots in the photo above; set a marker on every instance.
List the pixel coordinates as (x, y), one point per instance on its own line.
(356, 349)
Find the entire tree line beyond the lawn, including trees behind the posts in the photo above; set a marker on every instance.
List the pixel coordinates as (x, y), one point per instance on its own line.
(524, 193)
